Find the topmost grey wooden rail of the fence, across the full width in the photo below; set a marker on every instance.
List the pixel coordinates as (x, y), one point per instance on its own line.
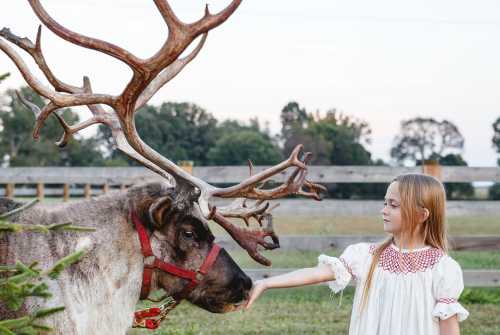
(233, 174)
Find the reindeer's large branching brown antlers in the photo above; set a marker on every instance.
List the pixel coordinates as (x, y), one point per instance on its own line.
(149, 75)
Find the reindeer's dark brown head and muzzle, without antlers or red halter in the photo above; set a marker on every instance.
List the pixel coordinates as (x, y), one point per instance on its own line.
(184, 239)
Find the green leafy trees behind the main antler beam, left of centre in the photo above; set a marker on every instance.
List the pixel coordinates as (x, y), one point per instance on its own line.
(183, 131)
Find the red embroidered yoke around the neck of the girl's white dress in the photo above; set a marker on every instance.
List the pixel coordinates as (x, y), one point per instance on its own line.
(407, 262)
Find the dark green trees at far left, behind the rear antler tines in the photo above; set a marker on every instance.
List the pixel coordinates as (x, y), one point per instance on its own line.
(17, 147)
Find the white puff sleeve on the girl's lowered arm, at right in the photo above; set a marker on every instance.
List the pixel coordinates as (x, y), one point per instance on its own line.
(447, 286)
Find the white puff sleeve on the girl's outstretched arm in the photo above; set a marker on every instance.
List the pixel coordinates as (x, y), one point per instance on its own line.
(347, 267)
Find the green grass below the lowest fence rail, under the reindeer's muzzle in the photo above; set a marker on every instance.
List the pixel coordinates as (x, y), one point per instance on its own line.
(308, 310)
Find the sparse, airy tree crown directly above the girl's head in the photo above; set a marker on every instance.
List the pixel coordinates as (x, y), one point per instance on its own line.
(423, 138)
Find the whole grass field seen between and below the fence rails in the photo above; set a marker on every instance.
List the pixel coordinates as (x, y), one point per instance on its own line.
(312, 310)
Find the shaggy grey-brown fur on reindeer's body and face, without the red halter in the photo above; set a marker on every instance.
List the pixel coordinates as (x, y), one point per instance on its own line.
(101, 290)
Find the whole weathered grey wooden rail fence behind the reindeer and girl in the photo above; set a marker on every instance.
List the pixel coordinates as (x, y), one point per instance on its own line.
(66, 182)
